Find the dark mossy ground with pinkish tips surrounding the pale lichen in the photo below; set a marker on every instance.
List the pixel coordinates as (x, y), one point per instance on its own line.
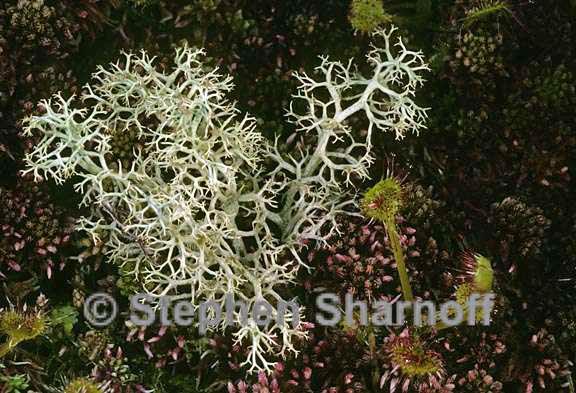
(497, 161)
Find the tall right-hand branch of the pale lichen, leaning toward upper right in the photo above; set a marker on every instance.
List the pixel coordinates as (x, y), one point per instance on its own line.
(317, 176)
